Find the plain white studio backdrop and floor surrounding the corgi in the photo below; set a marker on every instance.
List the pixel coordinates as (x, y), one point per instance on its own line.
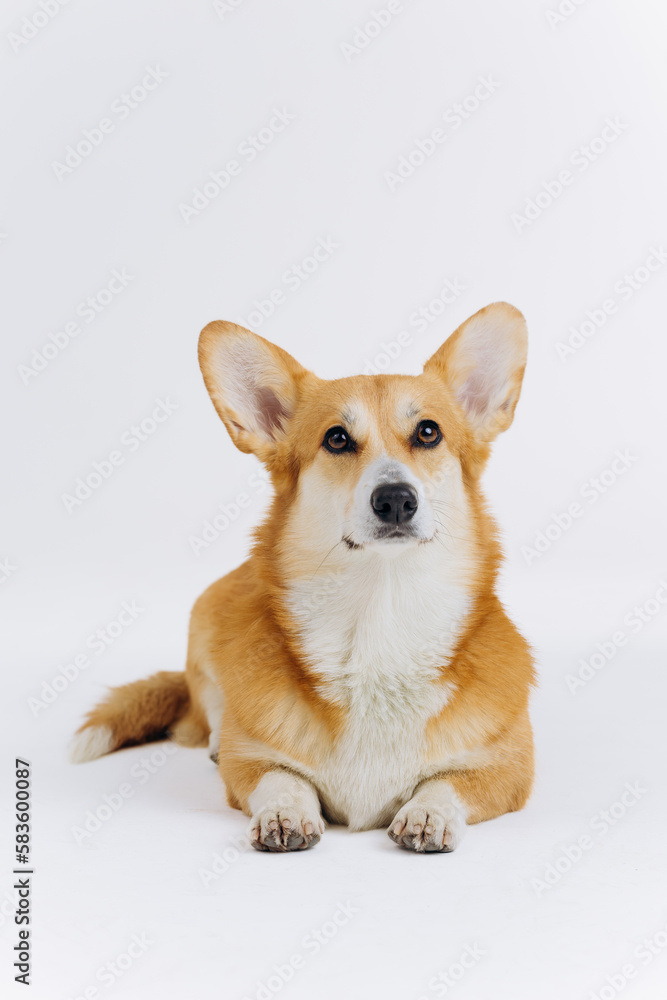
(439, 156)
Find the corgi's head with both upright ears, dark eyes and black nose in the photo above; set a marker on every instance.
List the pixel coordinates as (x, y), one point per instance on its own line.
(374, 462)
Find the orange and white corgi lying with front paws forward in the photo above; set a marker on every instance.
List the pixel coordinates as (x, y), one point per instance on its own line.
(358, 668)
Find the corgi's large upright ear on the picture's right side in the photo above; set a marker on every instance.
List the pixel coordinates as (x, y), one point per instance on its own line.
(483, 363)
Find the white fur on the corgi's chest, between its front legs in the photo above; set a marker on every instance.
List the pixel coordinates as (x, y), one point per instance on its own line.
(377, 635)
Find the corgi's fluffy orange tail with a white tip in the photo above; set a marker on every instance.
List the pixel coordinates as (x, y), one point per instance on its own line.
(131, 714)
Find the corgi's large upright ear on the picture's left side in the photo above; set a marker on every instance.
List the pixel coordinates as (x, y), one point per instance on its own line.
(253, 384)
